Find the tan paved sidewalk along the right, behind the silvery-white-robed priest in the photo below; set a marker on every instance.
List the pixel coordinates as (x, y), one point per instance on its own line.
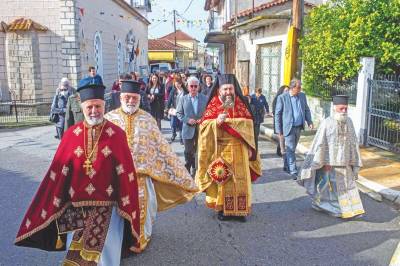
(380, 175)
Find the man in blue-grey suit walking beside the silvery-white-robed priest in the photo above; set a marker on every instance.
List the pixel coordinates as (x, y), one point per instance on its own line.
(291, 113)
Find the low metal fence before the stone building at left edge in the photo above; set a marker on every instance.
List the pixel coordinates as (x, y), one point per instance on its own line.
(22, 112)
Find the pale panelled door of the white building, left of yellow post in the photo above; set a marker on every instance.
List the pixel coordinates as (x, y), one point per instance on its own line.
(269, 68)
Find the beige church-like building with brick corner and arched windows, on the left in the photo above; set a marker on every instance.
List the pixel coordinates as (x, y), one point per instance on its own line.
(42, 41)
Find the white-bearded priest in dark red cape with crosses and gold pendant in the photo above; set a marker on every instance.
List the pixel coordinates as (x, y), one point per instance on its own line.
(87, 202)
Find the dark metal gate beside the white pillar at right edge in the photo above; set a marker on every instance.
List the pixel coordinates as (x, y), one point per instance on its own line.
(384, 114)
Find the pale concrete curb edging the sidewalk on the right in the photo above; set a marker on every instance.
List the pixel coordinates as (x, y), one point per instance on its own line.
(372, 189)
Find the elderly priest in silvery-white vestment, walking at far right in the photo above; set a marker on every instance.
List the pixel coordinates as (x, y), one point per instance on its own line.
(331, 167)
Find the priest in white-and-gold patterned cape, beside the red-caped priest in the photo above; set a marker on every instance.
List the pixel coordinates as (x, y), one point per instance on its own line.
(163, 180)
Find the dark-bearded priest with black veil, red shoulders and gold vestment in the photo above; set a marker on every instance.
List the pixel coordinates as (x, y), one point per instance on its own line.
(228, 160)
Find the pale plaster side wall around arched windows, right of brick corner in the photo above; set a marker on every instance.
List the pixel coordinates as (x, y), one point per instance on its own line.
(113, 23)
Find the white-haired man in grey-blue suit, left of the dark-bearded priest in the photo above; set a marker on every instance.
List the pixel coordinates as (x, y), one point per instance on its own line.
(189, 110)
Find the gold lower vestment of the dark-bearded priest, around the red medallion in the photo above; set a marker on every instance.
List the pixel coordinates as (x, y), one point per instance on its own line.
(233, 197)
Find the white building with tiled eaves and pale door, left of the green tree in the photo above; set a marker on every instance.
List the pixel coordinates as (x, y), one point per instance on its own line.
(252, 39)
